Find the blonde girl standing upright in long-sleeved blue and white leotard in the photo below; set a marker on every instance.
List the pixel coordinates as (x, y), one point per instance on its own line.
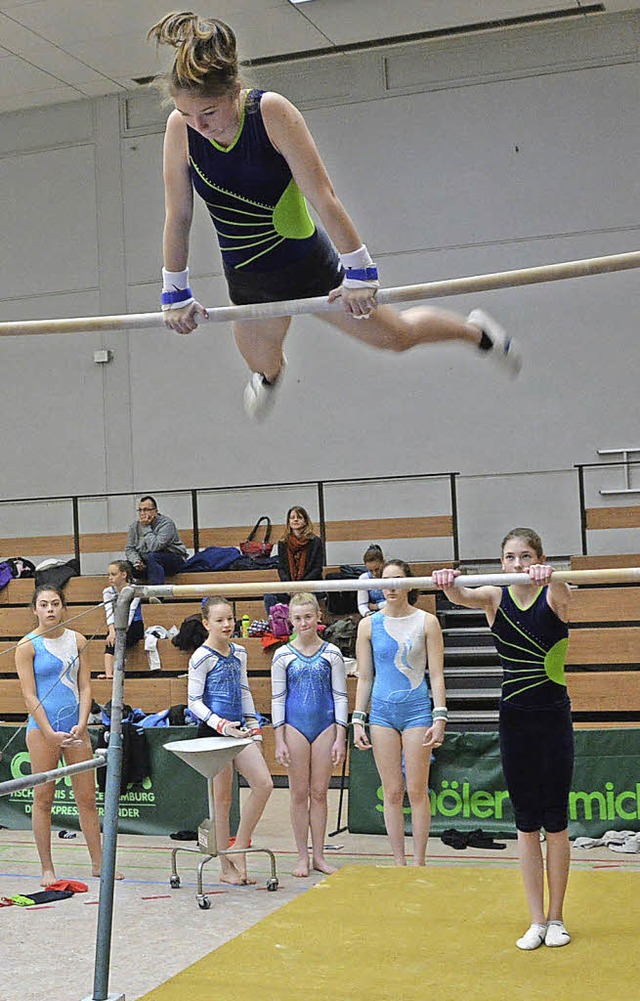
(310, 716)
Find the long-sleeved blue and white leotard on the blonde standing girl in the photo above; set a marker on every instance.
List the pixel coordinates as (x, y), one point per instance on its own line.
(309, 693)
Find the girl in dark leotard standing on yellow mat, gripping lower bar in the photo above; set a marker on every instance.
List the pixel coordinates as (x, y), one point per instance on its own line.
(529, 624)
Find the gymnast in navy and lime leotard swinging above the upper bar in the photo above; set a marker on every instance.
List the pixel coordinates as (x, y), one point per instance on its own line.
(250, 156)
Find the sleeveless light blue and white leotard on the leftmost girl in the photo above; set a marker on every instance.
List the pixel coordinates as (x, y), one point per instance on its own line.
(56, 669)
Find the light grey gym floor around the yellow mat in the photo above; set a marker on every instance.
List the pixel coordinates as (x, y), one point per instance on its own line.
(50, 952)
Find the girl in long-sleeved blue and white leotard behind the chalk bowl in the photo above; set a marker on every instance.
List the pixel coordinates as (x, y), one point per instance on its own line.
(220, 696)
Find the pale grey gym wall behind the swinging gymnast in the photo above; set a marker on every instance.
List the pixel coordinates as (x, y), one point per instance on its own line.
(464, 157)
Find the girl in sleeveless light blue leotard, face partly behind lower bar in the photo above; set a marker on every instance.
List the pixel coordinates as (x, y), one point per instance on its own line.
(395, 649)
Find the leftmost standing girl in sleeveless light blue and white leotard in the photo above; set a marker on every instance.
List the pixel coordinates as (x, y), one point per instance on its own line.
(56, 683)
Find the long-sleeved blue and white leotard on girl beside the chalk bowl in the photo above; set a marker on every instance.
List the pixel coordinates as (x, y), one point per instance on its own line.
(219, 686)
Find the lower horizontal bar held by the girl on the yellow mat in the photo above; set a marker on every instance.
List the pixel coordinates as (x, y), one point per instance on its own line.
(618, 575)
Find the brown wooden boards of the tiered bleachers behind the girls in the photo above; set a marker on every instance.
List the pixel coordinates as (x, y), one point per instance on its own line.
(603, 657)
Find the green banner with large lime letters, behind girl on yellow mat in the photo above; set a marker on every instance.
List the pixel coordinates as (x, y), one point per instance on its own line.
(467, 787)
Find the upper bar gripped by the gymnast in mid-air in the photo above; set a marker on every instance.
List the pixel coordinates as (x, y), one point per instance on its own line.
(295, 308)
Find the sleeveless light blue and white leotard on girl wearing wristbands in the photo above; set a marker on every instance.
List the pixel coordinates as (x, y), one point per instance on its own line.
(400, 697)
